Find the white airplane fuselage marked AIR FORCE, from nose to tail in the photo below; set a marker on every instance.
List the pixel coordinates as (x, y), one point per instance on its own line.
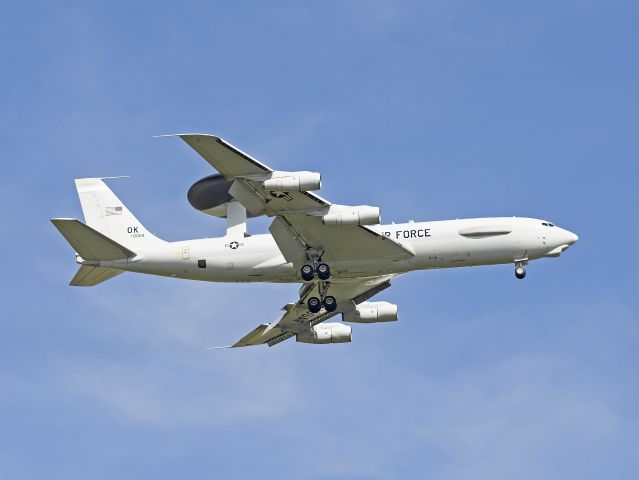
(437, 244)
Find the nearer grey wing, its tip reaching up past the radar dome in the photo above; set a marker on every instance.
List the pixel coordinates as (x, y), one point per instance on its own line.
(299, 227)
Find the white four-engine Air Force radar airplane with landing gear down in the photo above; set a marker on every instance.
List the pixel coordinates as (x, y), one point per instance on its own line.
(342, 255)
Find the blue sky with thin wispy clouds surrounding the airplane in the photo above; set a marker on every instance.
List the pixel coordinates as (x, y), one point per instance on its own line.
(430, 110)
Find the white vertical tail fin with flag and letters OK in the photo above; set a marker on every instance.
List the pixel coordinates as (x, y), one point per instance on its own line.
(104, 212)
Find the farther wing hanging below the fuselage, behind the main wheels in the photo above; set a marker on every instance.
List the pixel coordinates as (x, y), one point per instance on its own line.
(297, 318)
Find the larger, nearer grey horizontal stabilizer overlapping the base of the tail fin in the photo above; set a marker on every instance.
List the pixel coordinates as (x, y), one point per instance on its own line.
(89, 243)
